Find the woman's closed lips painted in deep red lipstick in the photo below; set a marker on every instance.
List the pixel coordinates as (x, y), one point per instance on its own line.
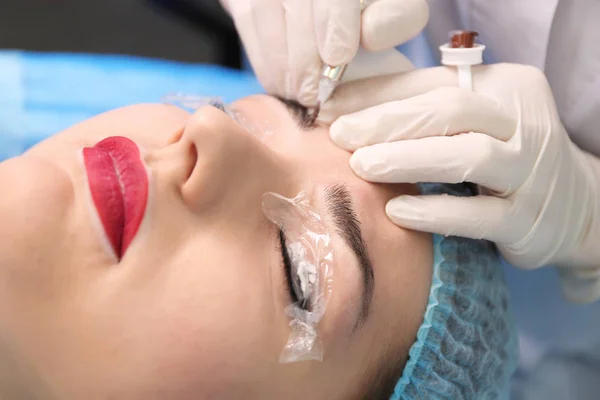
(118, 183)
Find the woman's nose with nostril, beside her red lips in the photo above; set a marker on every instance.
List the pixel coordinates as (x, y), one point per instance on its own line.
(229, 167)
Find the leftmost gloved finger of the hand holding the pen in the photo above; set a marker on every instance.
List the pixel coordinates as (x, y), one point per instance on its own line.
(256, 21)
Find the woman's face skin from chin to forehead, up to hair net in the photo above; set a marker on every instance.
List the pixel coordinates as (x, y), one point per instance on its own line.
(194, 308)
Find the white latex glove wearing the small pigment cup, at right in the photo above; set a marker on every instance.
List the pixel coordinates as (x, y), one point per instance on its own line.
(541, 198)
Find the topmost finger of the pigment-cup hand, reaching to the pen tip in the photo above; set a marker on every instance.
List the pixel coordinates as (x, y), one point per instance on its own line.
(351, 97)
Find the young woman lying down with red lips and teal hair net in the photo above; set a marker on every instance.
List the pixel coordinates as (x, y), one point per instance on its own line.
(137, 261)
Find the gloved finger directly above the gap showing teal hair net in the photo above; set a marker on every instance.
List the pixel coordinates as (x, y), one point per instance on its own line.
(470, 157)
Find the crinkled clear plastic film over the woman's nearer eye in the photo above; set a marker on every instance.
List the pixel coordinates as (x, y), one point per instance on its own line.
(311, 257)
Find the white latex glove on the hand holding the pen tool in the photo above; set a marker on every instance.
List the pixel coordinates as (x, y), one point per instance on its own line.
(287, 41)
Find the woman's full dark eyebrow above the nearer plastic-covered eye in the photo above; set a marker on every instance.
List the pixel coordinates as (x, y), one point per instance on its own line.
(339, 204)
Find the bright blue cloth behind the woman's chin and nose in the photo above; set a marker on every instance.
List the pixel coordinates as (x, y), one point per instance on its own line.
(43, 93)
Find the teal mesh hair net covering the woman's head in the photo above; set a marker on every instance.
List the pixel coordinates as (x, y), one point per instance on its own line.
(466, 347)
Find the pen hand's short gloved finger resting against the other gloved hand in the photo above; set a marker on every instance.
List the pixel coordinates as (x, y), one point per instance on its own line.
(367, 64)
